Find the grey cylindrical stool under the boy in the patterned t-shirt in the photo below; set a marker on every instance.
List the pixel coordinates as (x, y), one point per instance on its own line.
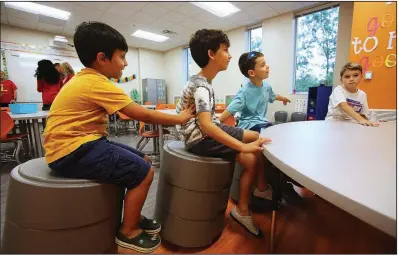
(192, 196)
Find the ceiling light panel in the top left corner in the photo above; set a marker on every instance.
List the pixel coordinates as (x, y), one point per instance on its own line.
(39, 9)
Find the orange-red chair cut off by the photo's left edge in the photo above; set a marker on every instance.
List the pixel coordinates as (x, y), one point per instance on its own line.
(7, 124)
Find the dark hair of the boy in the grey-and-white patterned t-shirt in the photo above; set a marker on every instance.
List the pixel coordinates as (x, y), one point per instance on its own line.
(204, 40)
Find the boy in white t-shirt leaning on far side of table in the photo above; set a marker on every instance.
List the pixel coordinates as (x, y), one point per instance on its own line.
(347, 101)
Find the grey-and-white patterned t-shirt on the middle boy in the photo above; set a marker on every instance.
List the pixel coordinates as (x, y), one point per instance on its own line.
(200, 92)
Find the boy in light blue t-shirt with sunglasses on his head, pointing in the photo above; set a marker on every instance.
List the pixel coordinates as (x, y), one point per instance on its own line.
(252, 101)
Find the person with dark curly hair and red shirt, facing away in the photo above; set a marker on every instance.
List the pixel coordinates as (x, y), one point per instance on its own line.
(49, 82)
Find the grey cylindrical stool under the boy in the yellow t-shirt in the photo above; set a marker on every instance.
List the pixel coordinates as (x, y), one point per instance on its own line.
(49, 214)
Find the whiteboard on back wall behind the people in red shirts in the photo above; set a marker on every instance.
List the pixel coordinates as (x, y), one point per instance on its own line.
(21, 68)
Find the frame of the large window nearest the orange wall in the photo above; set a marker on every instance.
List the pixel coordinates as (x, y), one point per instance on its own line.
(298, 14)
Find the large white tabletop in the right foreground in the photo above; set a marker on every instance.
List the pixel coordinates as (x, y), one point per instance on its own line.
(350, 165)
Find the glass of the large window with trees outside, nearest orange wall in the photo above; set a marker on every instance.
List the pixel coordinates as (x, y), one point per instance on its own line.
(315, 48)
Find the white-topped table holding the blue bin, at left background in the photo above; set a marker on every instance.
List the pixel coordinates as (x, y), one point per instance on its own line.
(34, 136)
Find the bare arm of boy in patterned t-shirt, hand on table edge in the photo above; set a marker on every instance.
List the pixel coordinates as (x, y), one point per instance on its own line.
(213, 131)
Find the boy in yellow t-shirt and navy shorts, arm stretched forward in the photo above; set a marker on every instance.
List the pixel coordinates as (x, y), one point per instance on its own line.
(75, 136)
